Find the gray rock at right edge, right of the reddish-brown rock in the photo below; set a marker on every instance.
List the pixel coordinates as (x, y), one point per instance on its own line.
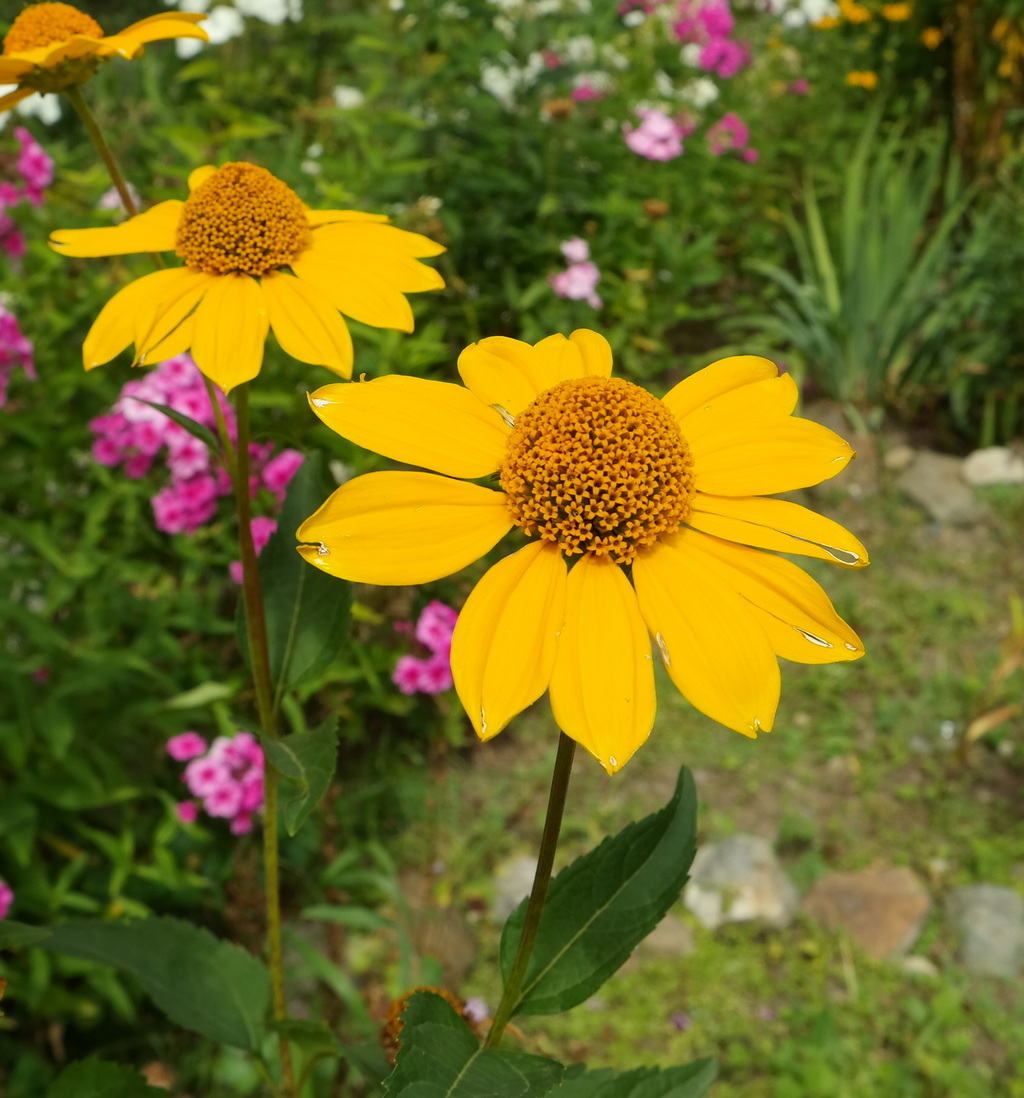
(991, 923)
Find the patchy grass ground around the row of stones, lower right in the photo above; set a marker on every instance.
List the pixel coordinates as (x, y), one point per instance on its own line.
(861, 770)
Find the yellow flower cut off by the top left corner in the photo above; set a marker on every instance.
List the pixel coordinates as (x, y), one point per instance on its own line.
(51, 47)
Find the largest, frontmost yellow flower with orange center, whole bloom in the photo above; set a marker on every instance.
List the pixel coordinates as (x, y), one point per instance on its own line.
(640, 514)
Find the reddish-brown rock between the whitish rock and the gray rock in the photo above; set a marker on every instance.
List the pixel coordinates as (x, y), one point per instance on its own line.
(883, 910)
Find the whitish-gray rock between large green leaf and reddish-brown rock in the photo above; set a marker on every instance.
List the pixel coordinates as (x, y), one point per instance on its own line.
(740, 881)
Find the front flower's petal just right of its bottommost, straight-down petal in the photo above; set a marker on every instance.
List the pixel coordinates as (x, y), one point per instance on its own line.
(714, 647)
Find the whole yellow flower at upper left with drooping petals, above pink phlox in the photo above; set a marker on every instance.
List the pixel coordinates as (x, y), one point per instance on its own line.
(256, 259)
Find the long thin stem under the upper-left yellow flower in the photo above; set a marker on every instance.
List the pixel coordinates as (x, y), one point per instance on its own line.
(260, 658)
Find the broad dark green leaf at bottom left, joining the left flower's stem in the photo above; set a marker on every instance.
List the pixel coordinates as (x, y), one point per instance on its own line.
(211, 987)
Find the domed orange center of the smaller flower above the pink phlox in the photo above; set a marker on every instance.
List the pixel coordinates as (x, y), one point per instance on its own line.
(243, 220)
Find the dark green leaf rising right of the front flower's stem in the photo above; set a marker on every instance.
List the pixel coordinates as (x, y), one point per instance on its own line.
(603, 905)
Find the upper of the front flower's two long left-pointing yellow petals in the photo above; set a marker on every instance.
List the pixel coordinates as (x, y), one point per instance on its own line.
(433, 424)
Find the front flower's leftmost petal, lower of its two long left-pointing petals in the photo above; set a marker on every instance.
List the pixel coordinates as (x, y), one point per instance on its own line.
(398, 529)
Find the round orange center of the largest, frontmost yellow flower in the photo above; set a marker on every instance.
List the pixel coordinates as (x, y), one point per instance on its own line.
(599, 465)
